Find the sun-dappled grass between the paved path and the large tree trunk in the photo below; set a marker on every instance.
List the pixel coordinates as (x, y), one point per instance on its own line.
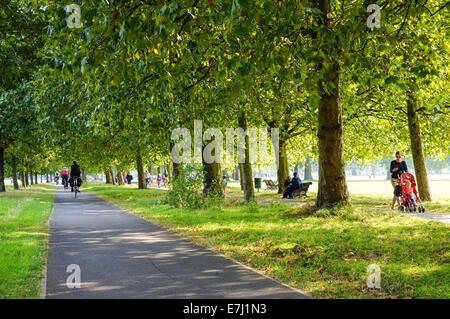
(324, 256)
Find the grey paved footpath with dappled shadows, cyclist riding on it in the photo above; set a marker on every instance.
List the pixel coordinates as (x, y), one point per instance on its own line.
(123, 256)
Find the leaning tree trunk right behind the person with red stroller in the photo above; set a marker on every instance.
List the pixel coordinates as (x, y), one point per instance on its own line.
(417, 148)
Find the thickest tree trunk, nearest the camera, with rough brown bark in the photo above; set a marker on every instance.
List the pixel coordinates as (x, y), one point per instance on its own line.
(332, 182)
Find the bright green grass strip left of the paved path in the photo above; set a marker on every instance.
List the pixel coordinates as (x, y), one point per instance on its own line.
(23, 240)
